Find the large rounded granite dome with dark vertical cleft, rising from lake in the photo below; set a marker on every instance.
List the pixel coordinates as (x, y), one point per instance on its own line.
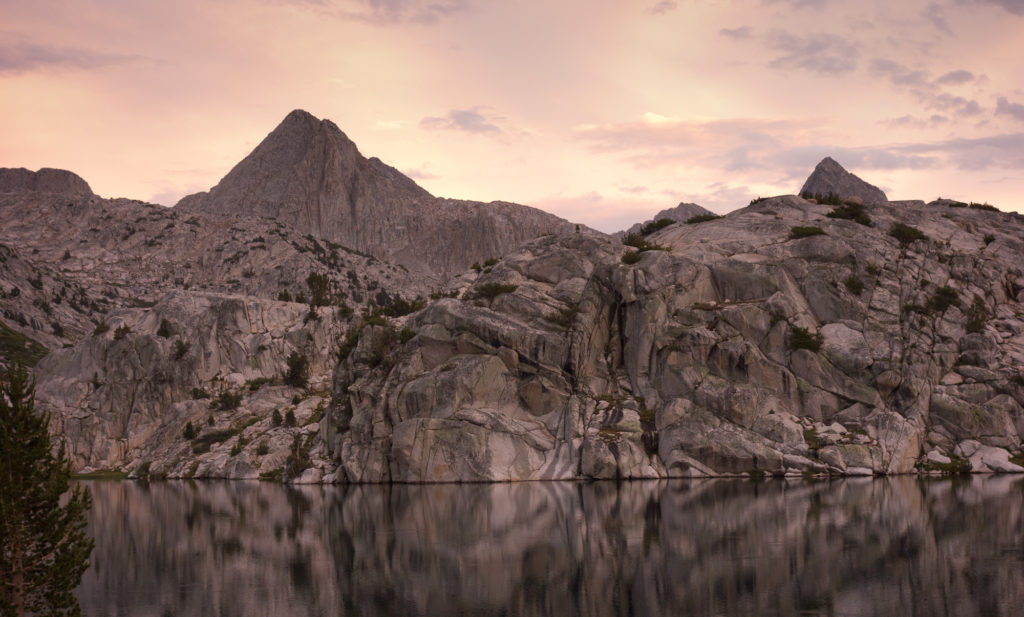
(739, 350)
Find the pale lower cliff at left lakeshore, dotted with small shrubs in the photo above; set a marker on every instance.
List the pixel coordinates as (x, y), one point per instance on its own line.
(122, 399)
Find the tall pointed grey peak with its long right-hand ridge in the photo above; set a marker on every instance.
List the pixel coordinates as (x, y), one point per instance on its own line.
(309, 173)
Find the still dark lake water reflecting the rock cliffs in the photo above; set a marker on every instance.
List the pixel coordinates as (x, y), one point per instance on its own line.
(899, 547)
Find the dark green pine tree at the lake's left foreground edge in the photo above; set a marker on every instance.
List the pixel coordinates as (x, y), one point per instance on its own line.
(45, 549)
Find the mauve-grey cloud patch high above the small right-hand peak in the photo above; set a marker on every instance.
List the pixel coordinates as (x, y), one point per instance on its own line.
(819, 53)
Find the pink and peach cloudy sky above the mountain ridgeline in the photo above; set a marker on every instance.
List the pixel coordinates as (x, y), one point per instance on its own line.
(603, 112)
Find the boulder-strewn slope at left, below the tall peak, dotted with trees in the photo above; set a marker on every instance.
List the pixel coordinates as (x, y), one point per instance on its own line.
(69, 259)
